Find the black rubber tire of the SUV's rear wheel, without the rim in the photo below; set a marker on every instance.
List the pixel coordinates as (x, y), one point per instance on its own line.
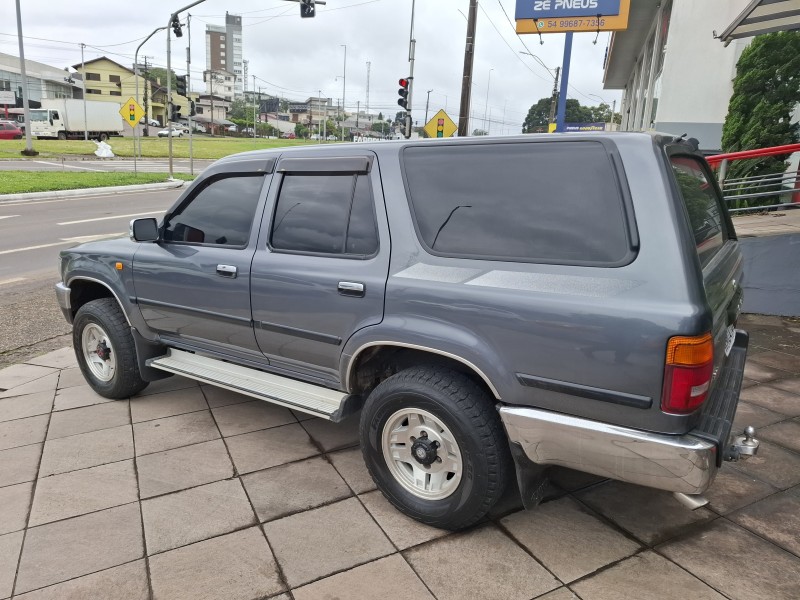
(464, 409)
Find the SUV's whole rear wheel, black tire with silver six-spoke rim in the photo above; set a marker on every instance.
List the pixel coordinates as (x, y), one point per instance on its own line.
(435, 447)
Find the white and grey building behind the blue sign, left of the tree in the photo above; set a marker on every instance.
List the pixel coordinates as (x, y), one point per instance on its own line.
(675, 75)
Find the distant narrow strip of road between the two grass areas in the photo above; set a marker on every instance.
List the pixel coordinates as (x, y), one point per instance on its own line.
(108, 165)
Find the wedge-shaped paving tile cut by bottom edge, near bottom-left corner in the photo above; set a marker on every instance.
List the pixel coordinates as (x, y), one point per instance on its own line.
(125, 582)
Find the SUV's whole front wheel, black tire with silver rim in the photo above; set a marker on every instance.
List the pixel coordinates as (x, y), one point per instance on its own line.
(103, 320)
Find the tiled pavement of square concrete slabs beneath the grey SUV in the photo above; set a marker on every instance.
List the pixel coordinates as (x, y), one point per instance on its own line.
(194, 492)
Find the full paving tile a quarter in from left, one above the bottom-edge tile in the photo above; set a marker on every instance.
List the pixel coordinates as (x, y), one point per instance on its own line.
(192, 515)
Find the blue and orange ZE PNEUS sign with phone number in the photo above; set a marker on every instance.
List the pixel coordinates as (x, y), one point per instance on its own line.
(562, 16)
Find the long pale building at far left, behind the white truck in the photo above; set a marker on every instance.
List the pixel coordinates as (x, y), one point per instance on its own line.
(44, 82)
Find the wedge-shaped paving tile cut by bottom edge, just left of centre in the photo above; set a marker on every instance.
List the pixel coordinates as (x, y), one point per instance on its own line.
(389, 577)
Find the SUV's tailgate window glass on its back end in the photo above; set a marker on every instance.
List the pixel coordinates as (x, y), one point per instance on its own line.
(702, 205)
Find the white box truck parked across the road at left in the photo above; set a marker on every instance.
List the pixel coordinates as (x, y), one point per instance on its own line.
(64, 119)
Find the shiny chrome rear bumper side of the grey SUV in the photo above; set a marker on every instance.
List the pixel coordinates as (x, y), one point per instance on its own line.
(685, 464)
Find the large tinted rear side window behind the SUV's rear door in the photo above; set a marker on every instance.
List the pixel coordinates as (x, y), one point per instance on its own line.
(535, 202)
